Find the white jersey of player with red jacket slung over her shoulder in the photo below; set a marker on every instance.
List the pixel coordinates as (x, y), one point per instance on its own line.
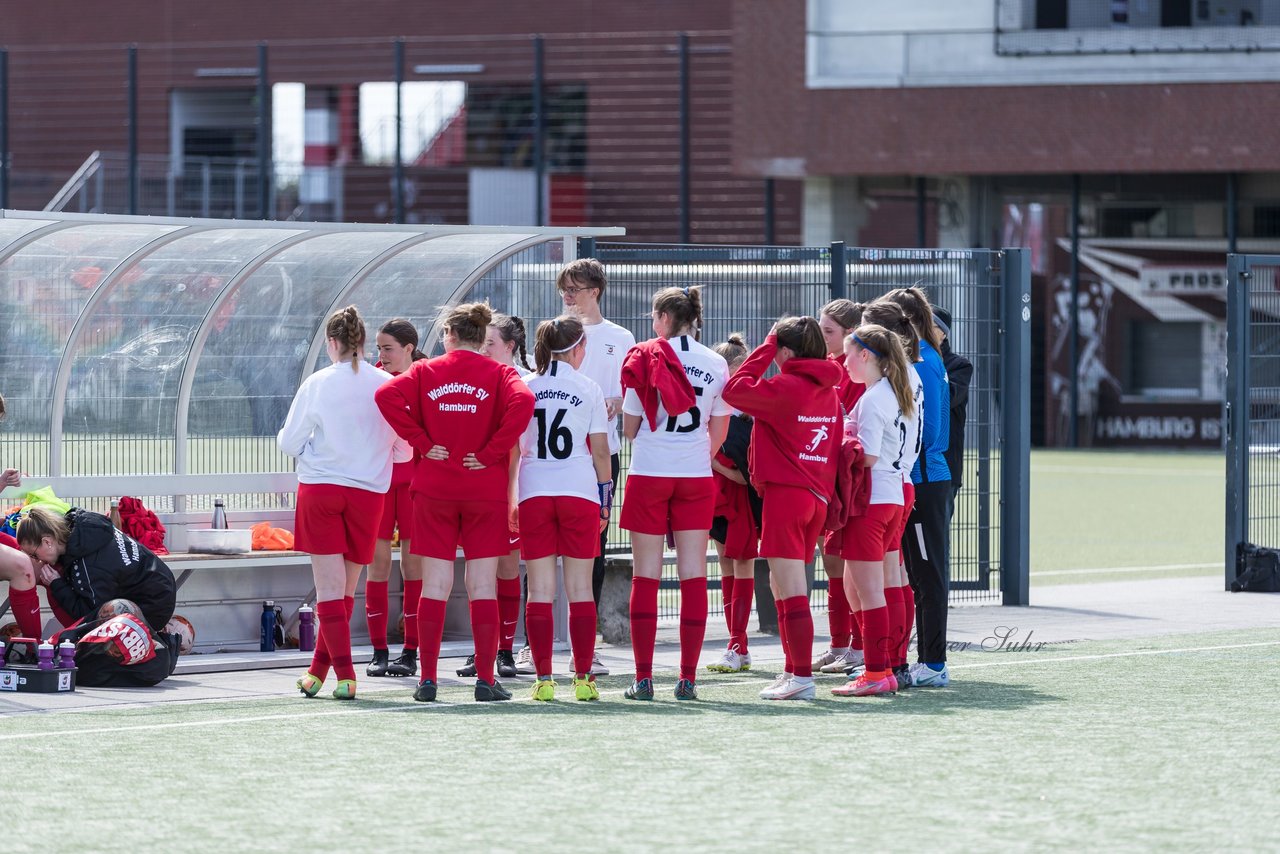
(682, 446)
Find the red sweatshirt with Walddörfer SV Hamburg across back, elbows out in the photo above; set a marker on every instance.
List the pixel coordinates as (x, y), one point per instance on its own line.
(469, 404)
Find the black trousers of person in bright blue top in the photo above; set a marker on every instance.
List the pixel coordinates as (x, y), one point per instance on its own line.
(927, 554)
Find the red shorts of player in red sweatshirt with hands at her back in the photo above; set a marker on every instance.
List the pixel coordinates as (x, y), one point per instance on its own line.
(479, 527)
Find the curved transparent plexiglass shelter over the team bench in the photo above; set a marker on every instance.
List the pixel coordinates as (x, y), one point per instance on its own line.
(175, 346)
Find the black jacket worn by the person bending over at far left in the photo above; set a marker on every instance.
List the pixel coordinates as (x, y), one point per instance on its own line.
(102, 564)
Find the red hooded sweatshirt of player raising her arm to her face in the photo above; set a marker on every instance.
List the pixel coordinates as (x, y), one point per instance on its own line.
(798, 426)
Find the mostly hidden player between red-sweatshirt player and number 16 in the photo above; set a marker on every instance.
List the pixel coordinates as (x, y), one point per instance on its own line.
(505, 339)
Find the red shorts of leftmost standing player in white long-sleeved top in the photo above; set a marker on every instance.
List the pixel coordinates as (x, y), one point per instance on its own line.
(337, 520)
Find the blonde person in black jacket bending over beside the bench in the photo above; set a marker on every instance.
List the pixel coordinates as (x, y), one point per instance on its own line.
(98, 564)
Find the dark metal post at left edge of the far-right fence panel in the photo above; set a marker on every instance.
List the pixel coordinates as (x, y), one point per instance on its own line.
(1237, 415)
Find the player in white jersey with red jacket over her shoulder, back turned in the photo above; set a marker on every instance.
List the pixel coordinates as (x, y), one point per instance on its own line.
(670, 485)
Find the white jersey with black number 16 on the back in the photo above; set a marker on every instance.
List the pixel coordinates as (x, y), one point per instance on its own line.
(554, 455)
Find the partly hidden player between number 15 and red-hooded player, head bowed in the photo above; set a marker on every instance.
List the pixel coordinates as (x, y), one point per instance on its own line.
(737, 528)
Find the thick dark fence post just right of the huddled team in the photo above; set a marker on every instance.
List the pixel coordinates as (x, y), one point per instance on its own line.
(1016, 424)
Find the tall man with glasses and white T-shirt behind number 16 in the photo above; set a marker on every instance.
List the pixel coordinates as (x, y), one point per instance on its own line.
(582, 286)
